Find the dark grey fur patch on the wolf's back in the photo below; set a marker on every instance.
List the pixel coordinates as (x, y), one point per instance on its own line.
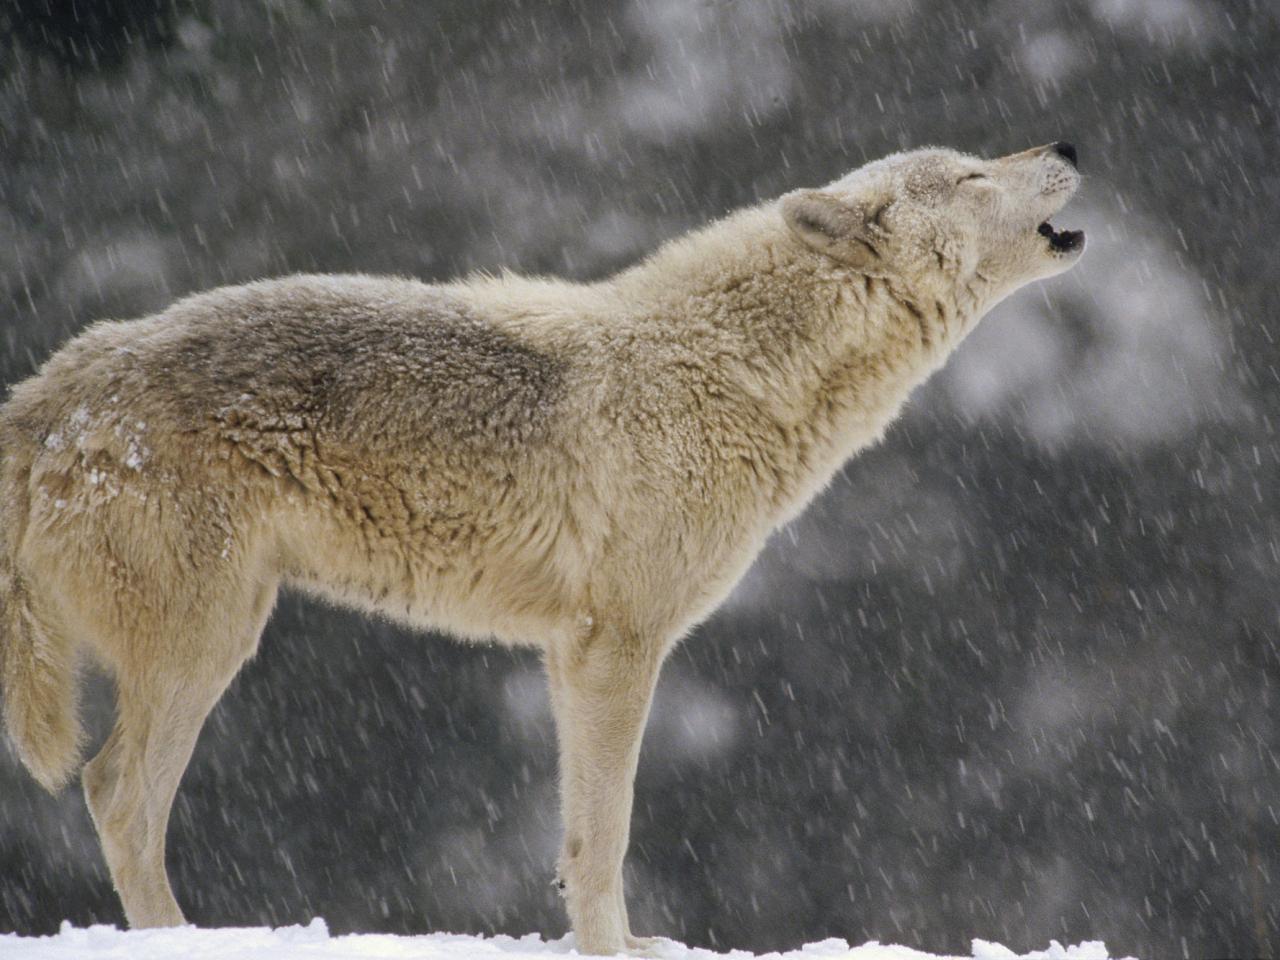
(373, 364)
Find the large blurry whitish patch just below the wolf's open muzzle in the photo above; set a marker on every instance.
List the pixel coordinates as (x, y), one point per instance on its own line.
(1128, 348)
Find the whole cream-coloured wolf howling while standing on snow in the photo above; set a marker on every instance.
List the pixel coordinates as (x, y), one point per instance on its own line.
(587, 469)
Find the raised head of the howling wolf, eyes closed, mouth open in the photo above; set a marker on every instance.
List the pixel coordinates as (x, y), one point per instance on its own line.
(945, 223)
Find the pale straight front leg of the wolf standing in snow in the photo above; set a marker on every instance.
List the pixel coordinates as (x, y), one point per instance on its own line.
(601, 693)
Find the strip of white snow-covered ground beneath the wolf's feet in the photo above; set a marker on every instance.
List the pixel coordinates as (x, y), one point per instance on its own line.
(313, 943)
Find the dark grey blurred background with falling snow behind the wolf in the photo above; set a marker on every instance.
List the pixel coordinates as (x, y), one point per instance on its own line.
(1014, 676)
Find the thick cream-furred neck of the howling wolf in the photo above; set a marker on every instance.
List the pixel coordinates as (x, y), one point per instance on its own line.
(819, 358)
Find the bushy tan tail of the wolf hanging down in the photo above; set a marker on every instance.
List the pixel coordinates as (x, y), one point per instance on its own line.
(38, 662)
